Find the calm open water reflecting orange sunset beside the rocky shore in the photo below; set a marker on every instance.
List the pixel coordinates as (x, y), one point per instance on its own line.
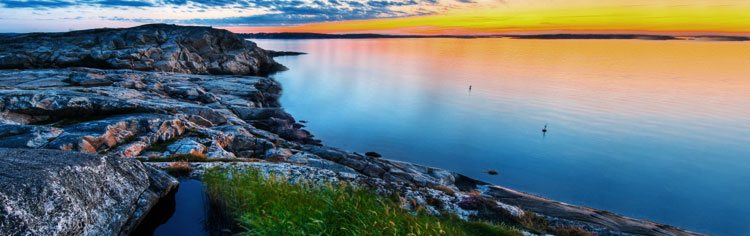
(650, 129)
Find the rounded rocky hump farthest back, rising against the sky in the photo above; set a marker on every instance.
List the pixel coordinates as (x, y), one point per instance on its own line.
(155, 47)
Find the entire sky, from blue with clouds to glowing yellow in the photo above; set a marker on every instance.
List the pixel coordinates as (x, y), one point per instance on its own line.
(428, 17)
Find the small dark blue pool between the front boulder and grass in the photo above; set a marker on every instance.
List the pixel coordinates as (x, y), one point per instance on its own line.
(182, 213)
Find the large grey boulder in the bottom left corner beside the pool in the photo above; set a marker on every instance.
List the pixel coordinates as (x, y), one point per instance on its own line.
(47, 192)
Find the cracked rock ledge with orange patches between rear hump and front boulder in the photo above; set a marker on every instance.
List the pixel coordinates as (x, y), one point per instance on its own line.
(136, 111)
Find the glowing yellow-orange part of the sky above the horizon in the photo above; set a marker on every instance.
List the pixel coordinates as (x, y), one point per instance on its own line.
(551, 16)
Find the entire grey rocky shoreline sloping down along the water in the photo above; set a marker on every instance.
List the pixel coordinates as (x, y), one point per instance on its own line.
(156, 93)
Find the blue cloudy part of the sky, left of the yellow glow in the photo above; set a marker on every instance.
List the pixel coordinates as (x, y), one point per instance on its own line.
(63, 15)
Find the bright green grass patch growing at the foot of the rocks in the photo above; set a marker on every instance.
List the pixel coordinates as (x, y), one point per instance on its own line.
(273, 206)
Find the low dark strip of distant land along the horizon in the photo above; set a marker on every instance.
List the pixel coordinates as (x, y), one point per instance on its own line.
(536, 36)
